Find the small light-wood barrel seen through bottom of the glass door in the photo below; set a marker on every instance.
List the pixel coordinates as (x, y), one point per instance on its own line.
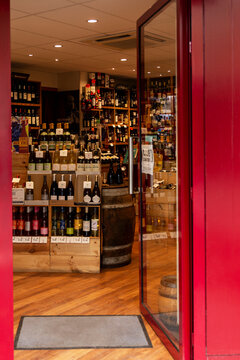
(167, 301)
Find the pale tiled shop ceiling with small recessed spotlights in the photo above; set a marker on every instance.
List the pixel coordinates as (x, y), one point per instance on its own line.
(37, 25)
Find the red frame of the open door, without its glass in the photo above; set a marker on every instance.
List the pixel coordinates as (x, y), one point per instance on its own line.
(184, 173)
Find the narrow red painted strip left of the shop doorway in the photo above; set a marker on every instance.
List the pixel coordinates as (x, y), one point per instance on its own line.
(6, 278)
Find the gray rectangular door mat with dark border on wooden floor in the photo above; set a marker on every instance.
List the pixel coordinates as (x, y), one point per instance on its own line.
(81, 332)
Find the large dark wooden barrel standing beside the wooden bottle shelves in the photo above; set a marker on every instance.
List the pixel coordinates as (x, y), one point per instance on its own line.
(118, 226)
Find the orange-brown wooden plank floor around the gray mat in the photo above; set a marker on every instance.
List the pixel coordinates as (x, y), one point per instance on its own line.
(109, 293)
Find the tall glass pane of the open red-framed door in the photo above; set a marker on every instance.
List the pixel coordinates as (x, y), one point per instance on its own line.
(159, 172)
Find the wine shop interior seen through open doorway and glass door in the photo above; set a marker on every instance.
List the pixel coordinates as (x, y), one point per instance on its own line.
(76, 204)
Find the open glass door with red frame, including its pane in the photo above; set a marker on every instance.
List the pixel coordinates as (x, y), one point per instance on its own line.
(163, 75)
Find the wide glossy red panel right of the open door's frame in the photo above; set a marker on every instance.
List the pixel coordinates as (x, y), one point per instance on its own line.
(222, 149)
